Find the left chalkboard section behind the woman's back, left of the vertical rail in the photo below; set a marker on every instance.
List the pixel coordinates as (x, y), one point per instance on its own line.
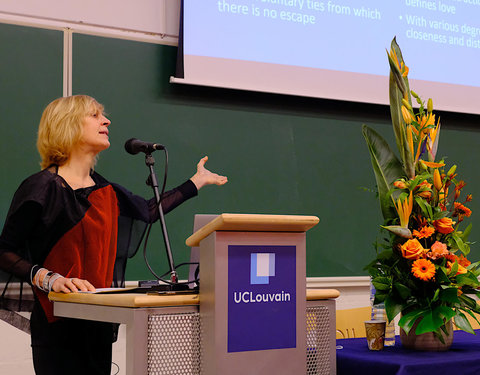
(30, 77)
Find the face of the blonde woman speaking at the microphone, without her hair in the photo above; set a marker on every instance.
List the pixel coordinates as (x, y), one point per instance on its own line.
(95, 131)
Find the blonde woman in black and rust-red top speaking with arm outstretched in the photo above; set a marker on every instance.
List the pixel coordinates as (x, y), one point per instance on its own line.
(66, 231)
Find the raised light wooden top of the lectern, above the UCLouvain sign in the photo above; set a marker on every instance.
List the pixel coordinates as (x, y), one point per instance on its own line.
(253, 223)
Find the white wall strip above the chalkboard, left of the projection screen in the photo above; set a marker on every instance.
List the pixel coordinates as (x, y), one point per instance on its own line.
(155, 21)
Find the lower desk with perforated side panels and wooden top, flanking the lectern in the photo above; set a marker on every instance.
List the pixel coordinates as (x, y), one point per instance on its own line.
(163, 331)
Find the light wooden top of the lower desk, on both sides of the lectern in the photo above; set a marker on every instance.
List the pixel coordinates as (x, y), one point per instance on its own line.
(137, 300)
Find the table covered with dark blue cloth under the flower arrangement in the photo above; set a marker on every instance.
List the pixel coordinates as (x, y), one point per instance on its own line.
(463, 358)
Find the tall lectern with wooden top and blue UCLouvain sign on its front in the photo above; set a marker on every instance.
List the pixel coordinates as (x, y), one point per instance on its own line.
(253, 293)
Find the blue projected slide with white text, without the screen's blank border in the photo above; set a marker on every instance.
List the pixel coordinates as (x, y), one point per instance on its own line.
(440, 39)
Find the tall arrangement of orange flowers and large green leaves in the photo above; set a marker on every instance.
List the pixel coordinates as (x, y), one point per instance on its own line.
(422, 270)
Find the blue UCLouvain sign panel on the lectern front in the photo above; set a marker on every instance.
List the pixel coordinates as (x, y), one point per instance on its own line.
(261, 297)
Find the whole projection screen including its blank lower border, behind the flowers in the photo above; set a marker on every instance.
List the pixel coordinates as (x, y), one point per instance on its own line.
(334, 49)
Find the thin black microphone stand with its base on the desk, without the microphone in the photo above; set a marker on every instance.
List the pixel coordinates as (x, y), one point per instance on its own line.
(153, 182)
